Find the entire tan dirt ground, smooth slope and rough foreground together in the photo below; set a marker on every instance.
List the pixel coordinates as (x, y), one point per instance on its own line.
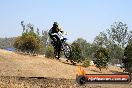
(19, 71)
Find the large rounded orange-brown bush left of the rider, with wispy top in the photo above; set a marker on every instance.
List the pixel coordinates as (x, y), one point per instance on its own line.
(29, 41)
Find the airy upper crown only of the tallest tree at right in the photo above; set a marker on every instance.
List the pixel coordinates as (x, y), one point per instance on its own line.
(119, 34)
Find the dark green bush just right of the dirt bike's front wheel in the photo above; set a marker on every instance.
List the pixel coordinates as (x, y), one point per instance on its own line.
(76, 54)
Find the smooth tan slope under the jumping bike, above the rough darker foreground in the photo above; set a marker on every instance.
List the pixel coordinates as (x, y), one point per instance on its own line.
(12, 64)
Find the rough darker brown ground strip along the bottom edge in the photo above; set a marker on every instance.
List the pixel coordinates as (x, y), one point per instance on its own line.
(41, 82)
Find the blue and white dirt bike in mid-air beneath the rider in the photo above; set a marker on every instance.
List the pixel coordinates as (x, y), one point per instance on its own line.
(61, 45)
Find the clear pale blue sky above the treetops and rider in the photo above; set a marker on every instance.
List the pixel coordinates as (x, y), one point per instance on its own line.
(80, 18)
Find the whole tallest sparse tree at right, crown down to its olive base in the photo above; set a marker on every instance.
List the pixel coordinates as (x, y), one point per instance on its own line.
(119, 37)
